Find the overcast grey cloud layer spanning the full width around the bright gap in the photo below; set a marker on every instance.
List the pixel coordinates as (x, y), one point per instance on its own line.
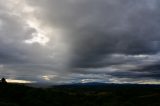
(91, 33)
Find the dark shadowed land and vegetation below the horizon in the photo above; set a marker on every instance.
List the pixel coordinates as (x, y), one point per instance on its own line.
(80, 95)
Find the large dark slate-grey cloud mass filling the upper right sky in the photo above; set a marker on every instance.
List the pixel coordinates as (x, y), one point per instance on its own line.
(99, 28)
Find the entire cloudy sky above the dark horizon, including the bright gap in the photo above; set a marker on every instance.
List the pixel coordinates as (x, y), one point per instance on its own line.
(80, 41)
